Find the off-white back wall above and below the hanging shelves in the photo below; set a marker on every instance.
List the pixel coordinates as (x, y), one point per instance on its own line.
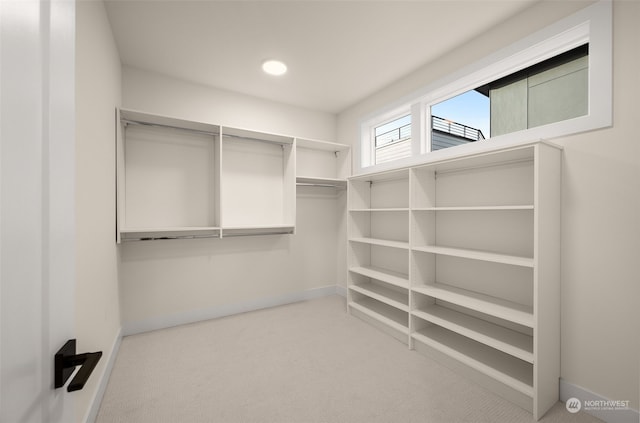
(169, 282)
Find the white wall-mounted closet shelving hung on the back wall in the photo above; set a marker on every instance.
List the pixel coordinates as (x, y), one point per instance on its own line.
(183, 179)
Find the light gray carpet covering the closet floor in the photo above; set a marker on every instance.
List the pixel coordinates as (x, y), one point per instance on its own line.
(304, 362)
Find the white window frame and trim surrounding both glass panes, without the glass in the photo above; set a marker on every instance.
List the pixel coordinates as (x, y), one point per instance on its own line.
(592, 25)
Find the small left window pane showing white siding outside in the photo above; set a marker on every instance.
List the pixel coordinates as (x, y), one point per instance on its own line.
(393, 140)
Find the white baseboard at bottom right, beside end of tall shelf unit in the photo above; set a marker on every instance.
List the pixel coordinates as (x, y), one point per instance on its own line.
(598, 409)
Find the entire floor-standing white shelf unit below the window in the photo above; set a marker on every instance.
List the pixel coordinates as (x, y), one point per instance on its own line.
(459, 258)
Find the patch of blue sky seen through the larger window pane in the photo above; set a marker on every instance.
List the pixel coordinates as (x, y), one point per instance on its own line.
(470, 108)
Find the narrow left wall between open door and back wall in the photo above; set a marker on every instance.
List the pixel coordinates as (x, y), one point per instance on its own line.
(98, 85)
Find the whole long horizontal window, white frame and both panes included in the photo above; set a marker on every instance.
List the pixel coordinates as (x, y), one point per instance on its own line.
(555, 82)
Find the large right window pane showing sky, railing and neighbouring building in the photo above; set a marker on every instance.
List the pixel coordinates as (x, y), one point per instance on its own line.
(550, 91)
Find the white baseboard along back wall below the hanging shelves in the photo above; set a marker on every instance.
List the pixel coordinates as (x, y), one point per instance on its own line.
(163, 322)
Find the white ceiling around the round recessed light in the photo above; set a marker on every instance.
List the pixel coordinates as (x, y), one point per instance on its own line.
(337, 52)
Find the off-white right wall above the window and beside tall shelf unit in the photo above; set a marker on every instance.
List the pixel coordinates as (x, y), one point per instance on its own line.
(601, 180)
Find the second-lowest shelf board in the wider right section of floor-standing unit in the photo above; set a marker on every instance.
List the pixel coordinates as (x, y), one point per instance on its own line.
(506, 340)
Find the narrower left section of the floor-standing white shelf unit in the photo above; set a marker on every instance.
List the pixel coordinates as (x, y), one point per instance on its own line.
(378, 228)
